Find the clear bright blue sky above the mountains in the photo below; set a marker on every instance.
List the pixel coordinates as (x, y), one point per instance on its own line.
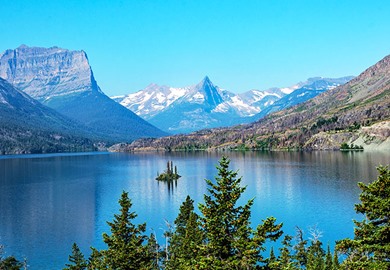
(241, 44)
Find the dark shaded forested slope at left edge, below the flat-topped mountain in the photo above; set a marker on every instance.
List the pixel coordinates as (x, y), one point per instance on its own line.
(27, 126)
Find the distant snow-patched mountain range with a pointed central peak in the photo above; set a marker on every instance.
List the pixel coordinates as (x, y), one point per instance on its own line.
(205, 105)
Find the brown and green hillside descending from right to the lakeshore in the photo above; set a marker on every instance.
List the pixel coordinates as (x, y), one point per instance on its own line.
(357, 112)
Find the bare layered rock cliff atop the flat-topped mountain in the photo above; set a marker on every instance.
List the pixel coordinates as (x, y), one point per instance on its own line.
(44, 73)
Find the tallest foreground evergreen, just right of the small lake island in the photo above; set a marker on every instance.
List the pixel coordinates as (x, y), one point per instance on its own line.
(230, 241)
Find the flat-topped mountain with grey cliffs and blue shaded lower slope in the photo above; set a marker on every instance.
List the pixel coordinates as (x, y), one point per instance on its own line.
(63, 80)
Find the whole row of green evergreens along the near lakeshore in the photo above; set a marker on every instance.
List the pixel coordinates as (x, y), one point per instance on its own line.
(220, 236)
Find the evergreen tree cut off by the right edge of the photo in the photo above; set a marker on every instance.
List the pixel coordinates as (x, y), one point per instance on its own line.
(370, 247)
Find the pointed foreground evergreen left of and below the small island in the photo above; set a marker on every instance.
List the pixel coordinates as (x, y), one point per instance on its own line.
(126, 249)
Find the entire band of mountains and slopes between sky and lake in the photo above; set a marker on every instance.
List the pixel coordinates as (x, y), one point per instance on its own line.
(51, 102)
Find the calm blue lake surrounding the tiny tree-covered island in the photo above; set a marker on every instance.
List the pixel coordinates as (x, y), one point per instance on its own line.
(47, 202)
